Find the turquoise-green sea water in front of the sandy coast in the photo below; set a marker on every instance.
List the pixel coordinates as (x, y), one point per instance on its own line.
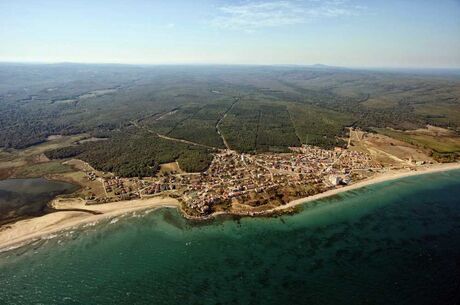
(393, 243)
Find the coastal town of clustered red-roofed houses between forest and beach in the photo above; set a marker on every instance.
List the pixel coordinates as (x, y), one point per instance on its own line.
(245, 181)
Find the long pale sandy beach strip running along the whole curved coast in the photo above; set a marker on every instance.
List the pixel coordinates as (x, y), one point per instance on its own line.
(29, 230)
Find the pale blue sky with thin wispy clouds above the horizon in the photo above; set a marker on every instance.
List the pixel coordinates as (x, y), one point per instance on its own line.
(350, 33)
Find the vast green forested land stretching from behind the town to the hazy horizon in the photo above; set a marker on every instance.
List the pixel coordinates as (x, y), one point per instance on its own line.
(146, 111)
